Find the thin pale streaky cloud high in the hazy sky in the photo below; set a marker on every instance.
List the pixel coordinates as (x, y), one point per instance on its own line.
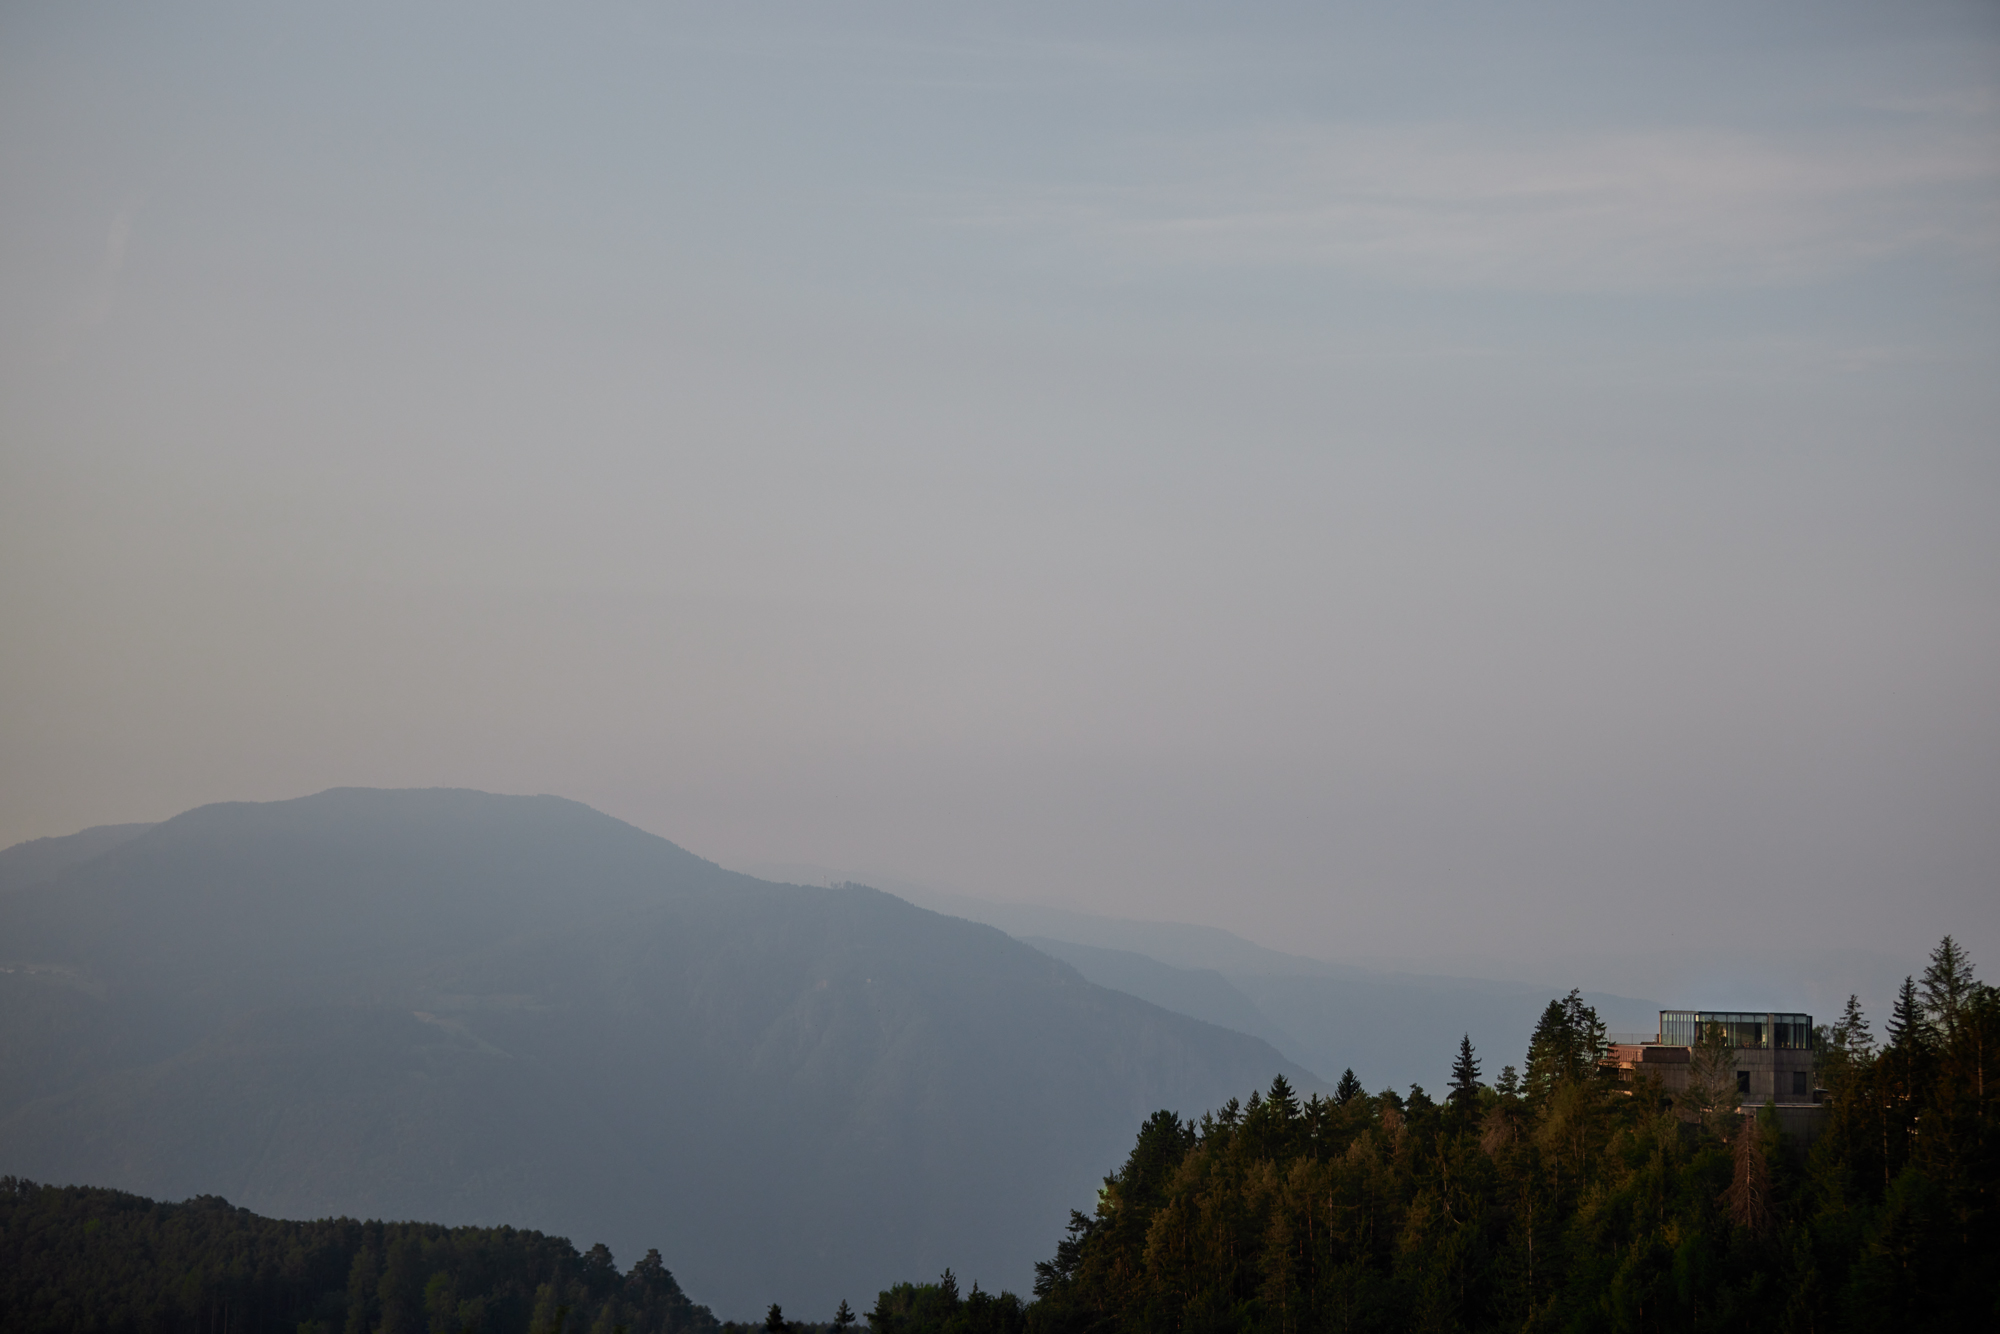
(1473, 207)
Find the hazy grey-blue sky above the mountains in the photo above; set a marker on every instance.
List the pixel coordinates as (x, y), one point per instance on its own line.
(1501, 489)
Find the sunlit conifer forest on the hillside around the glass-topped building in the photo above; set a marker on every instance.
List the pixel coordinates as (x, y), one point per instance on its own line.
(1557, 1199)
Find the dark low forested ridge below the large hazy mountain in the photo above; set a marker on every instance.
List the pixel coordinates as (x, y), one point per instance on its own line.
(85, 1261)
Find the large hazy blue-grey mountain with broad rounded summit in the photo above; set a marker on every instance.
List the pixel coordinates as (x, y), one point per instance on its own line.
(479, 1009)
